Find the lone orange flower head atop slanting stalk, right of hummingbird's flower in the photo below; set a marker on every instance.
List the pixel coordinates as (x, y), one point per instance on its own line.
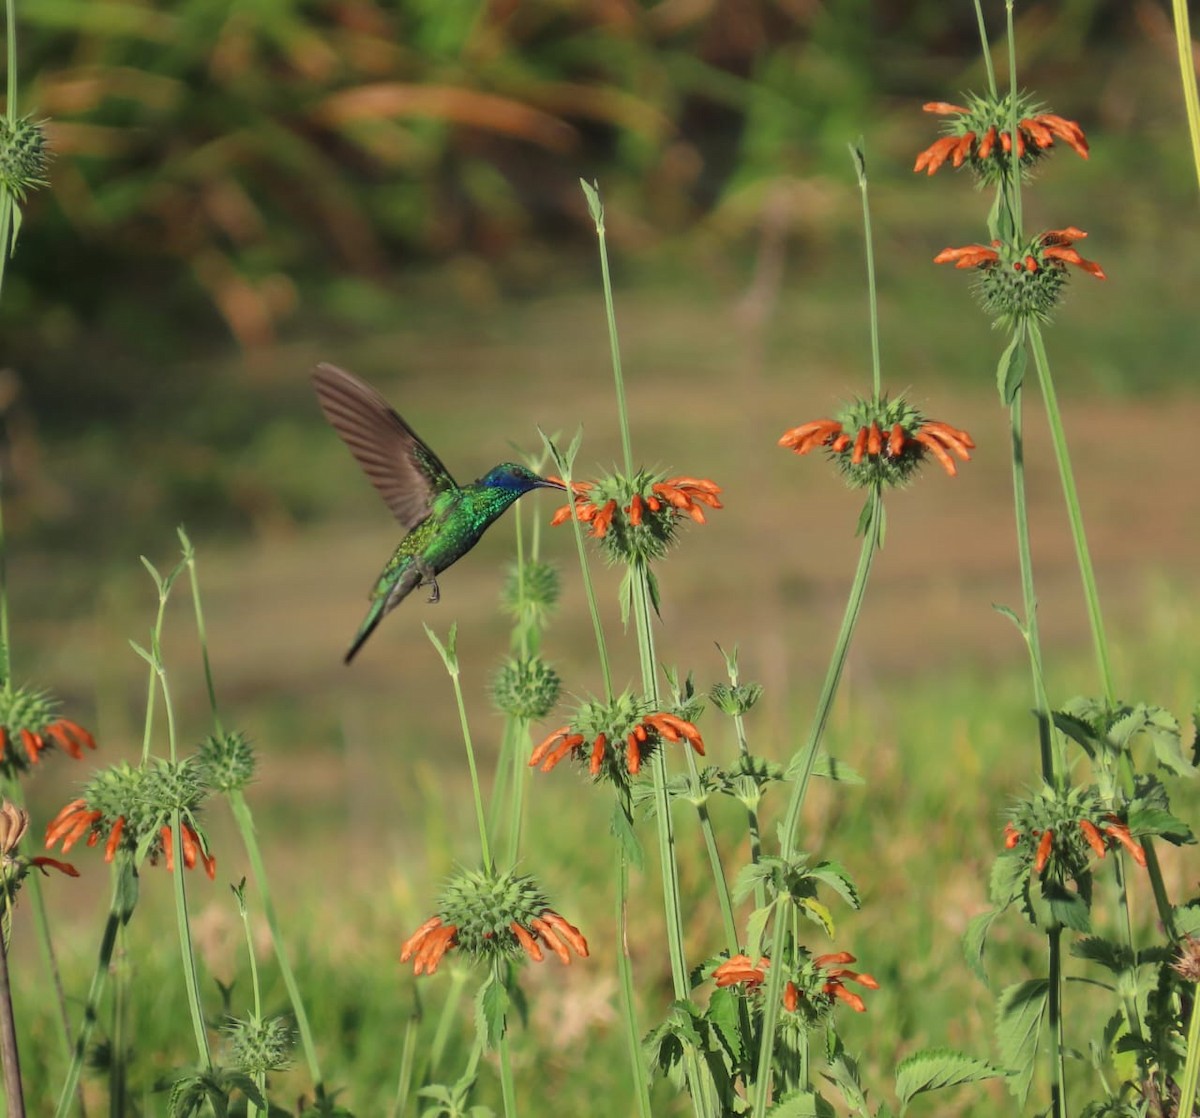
(891, 438)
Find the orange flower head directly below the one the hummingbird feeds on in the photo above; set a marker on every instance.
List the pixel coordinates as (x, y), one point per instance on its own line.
(615, 738)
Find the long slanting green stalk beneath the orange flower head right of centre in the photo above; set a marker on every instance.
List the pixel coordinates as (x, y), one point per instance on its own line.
(805, 764)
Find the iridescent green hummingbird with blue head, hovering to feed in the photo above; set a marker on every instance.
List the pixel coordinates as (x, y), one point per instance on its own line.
(442, 520)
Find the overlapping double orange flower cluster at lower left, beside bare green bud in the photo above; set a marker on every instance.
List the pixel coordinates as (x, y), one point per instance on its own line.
(128, 806)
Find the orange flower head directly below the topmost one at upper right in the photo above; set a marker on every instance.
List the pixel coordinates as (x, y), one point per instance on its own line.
(1025, 281)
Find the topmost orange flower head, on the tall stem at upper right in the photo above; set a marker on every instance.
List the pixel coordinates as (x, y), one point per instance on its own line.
(980, 136)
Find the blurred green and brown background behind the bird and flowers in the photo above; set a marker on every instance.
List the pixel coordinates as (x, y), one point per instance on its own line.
(241, 191)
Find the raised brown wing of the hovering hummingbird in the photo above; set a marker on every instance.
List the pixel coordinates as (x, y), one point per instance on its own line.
(407, 474)
